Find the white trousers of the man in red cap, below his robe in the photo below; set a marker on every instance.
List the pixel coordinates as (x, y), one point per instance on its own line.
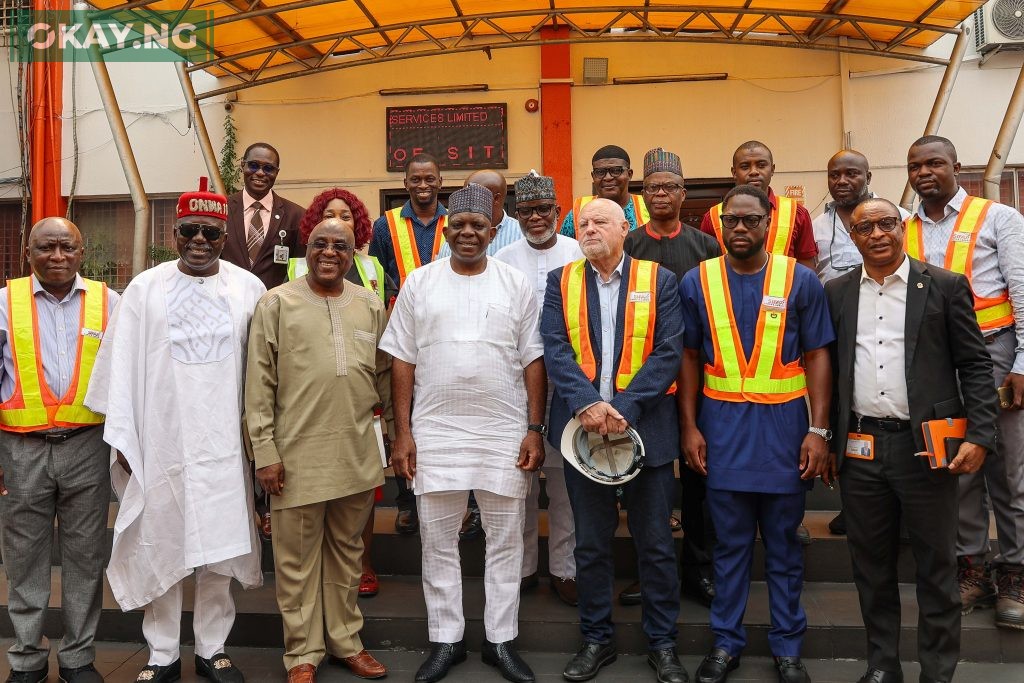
(214, 616)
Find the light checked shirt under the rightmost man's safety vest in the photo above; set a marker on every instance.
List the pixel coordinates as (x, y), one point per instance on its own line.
(999, 257)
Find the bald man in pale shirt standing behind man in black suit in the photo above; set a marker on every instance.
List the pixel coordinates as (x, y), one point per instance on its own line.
(849, 180)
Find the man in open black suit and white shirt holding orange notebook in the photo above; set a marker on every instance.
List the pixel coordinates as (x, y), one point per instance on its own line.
(906, 332)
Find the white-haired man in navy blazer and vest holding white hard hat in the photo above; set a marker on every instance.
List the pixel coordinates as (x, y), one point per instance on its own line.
(613, 343)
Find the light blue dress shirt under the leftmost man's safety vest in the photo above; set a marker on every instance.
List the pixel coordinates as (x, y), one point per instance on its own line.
(60, 329)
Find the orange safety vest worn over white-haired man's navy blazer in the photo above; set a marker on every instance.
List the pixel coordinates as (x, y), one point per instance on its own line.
(638, 335)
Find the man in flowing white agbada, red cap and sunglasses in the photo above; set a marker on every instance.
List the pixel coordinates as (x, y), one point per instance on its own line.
(169, 378)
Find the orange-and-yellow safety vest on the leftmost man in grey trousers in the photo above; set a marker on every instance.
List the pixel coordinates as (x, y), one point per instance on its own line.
(33, 406)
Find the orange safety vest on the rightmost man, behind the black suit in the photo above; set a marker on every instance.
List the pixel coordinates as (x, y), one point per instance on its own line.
(993, 313)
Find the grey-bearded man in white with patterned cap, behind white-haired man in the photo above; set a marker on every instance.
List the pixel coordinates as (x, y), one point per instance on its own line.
(543, 251)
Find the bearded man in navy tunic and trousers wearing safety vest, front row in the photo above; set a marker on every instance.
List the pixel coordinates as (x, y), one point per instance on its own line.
(762, 322)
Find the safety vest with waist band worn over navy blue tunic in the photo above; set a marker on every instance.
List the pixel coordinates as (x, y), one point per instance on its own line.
(763, 378)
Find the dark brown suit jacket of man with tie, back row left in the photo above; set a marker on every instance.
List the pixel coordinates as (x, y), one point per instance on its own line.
(285, 217)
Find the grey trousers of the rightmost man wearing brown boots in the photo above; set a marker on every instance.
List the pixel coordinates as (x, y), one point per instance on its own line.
(1002, 478)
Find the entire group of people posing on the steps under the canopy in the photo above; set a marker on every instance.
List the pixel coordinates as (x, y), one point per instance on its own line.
(714, 346)
